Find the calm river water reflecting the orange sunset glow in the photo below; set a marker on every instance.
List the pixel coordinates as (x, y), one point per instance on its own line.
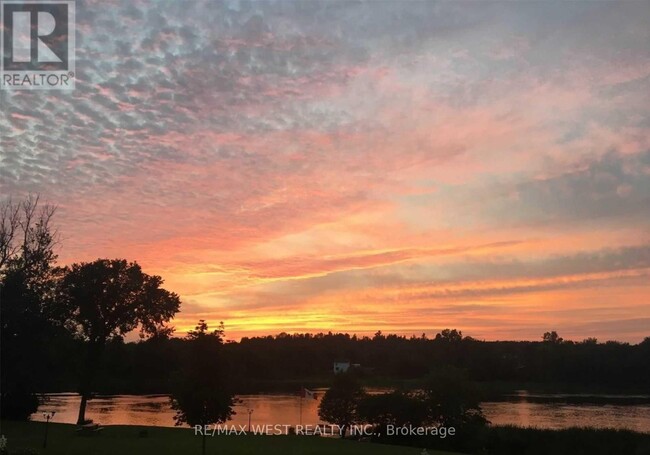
(522, 410)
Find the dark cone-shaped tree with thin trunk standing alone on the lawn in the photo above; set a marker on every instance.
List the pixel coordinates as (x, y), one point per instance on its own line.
(202, 394)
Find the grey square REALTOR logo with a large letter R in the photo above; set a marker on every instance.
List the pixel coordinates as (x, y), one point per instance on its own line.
(38, 45)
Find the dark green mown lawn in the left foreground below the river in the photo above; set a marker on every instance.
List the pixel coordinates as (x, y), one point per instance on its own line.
(125, 439)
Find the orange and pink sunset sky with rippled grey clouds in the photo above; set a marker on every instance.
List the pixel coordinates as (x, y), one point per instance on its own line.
(393, 166)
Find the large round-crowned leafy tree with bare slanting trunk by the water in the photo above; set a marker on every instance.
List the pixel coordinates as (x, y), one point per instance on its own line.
(106, 299)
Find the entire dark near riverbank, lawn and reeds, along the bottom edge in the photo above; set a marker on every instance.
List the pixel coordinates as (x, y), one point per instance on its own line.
(26, 438)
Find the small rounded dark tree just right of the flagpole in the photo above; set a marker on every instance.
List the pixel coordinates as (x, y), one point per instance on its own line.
(340, 403)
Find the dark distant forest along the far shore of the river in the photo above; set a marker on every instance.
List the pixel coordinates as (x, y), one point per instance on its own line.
(286, 362)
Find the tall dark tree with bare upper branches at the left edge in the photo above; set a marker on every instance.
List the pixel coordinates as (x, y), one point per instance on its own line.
(27, 276)
